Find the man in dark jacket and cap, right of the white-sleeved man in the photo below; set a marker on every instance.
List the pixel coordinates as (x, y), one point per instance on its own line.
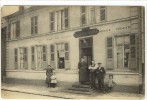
(100, 73)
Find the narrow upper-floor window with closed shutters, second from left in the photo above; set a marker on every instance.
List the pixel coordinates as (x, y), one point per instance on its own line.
(34, 25)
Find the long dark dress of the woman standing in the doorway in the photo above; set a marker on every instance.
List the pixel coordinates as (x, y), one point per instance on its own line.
(83, 72)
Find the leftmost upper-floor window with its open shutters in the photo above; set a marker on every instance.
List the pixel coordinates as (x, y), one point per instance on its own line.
(15, 30)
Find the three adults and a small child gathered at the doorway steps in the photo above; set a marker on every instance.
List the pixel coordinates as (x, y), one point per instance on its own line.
(92, 73)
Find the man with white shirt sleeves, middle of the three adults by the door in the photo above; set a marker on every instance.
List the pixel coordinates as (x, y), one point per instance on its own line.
(92, 69)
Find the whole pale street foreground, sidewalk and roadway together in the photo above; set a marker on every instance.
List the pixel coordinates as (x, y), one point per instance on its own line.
(20, 91)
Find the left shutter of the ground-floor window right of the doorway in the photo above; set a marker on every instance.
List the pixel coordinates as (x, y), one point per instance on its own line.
(109, 45)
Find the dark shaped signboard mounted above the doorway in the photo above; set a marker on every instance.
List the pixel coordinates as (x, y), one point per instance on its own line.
(86, 32)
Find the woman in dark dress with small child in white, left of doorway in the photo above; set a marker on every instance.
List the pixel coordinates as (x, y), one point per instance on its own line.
(51, 80)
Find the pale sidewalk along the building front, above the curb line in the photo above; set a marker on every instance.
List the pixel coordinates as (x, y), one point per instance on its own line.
(58, 92)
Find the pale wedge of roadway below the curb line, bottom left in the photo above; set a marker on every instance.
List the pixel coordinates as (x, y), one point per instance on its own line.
(17, 95)
